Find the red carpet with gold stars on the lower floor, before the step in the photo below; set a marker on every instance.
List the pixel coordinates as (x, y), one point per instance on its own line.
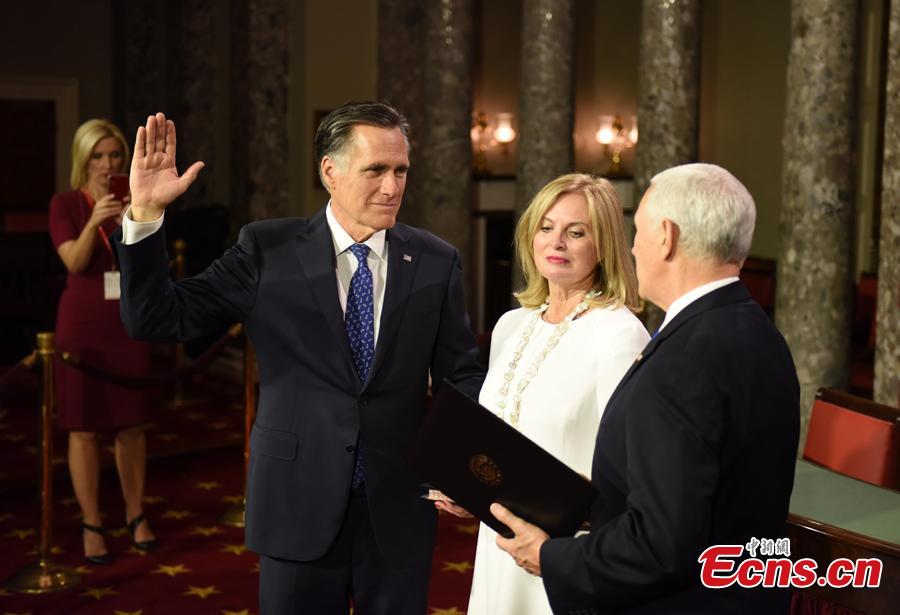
(201, 567)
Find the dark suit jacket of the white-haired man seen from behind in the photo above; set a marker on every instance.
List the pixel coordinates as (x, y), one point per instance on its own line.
(696, 447)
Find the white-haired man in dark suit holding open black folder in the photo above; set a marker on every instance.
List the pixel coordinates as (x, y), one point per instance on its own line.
(697, 444)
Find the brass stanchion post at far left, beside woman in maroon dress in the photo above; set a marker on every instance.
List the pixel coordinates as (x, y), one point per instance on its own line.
(44, 576)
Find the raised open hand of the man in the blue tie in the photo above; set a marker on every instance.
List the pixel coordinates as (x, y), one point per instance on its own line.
(155, 182)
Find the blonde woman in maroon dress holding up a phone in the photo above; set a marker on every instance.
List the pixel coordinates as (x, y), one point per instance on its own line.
(88, 324)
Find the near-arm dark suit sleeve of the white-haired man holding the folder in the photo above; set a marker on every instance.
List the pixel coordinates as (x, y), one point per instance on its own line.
(673, 437)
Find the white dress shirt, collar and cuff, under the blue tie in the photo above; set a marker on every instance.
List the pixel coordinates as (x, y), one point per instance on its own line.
(134, 231)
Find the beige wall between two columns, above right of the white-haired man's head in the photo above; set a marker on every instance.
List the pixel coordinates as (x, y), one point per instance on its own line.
(744, 63)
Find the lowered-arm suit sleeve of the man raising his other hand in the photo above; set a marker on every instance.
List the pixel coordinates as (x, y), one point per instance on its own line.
(455, 354)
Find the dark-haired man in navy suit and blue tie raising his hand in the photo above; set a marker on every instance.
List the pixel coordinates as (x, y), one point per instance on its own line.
(349, 314)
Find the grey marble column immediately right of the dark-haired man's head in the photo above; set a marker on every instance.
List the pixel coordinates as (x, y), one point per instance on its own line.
(443, 163)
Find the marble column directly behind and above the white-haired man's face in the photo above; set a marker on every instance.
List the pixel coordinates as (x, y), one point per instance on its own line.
(668, 95)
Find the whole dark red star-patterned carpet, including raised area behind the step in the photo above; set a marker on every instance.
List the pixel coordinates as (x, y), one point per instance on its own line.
(202, 566)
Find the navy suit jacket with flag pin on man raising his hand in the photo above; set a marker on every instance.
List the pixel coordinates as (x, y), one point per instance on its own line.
(279, 280)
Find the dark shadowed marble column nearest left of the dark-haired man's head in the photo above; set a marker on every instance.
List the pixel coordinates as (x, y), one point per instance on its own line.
(260, 93)
